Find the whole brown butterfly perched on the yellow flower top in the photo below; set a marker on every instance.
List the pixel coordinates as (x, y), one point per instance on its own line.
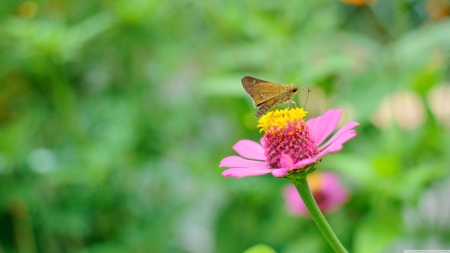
(266, 95)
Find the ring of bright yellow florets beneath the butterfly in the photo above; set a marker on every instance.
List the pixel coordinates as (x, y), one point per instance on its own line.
(279, 119)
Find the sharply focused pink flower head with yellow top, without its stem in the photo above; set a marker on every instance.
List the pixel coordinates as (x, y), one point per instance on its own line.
(288, 144)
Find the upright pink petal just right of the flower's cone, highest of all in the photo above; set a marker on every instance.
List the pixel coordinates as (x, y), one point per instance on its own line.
(322, 126)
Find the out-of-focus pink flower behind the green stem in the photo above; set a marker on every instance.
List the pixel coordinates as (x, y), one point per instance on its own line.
(327, 189)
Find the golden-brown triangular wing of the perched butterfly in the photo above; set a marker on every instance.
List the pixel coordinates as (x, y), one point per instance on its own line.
(261, 92)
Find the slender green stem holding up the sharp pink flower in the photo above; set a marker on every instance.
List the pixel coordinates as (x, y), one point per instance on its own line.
(303, 188)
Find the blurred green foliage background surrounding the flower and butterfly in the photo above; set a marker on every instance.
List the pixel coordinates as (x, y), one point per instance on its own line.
(114, 116)
